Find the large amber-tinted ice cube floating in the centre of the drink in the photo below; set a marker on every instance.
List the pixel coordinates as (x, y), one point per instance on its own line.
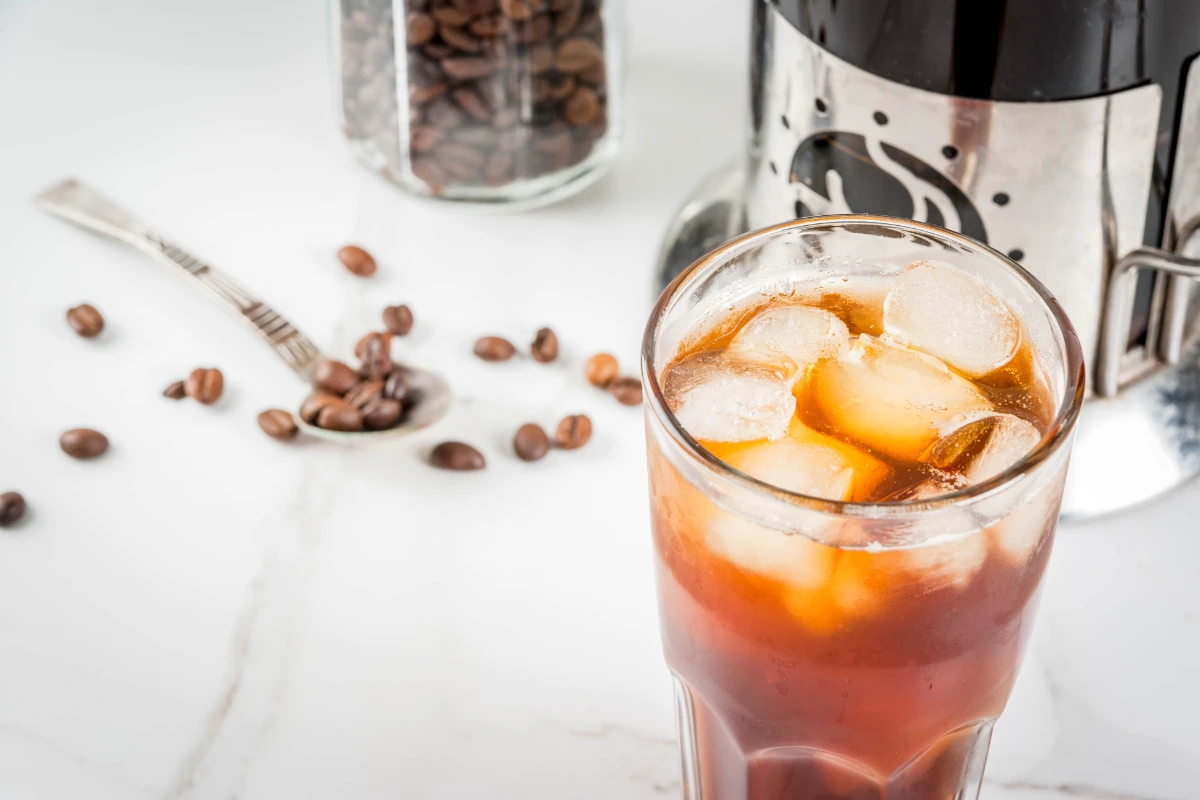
(891, 399)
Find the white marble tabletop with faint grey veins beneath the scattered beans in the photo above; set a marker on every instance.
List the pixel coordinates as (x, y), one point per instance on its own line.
(207, 613)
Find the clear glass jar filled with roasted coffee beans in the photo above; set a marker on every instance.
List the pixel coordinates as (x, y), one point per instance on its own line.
(487, 101)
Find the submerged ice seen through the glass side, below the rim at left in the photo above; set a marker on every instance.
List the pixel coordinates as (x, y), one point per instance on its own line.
(791, 558)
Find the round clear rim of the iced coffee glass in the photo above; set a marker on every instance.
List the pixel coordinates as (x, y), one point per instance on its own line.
(1052, 441)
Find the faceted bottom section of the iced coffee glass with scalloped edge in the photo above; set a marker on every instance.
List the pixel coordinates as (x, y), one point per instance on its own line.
(718, 767)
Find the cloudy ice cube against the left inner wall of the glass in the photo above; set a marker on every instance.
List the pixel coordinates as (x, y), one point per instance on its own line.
(719, 398)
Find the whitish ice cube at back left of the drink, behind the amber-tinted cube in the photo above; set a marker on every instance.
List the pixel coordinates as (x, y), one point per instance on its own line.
(800, 335)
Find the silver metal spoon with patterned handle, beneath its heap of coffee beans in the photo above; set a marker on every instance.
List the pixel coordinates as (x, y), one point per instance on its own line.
(75, 202)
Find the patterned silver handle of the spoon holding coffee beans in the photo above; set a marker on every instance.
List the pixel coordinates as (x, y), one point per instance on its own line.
(75, 202)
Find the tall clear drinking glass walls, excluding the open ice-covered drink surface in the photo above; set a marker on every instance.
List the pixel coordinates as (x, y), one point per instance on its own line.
(872, 655)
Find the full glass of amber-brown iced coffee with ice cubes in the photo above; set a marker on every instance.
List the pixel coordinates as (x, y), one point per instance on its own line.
(859, 431)
